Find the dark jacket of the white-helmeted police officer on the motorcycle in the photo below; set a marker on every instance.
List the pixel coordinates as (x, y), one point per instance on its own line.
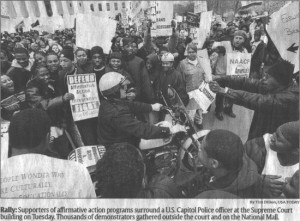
(117, 123)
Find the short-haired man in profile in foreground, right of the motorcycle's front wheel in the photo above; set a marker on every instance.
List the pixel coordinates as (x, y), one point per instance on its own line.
(233, 171)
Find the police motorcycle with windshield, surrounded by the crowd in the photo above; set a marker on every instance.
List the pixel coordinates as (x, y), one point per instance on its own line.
(178, 154)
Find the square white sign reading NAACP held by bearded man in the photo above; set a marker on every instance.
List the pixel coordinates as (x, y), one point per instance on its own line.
(238, 64)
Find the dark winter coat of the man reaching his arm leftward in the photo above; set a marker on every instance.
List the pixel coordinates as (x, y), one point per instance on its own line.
(271, 109)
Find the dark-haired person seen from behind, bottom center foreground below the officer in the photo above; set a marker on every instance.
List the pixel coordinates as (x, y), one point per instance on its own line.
(131, 180)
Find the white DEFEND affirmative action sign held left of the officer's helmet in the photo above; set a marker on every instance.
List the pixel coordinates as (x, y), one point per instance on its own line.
(86, 102)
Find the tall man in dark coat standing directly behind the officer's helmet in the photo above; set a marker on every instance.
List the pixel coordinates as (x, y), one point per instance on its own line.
(137, 69)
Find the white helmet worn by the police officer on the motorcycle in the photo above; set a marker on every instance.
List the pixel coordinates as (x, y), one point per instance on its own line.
(110, 83)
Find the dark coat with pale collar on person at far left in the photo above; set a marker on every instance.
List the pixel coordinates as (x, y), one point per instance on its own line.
(19, 75)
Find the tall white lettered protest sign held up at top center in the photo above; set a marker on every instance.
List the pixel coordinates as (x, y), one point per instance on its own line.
(163, 16)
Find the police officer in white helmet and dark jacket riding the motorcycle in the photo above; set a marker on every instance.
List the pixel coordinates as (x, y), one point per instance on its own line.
(116, 121)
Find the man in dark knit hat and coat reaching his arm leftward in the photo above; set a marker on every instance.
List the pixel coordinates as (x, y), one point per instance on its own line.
(275, 99)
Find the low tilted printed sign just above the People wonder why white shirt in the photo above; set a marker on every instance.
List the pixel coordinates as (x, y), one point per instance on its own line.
(88, 156)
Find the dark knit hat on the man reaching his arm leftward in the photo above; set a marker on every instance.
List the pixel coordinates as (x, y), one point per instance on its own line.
(282, 72)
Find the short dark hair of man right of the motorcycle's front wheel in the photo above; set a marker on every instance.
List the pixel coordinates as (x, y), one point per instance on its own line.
(226, 147)
